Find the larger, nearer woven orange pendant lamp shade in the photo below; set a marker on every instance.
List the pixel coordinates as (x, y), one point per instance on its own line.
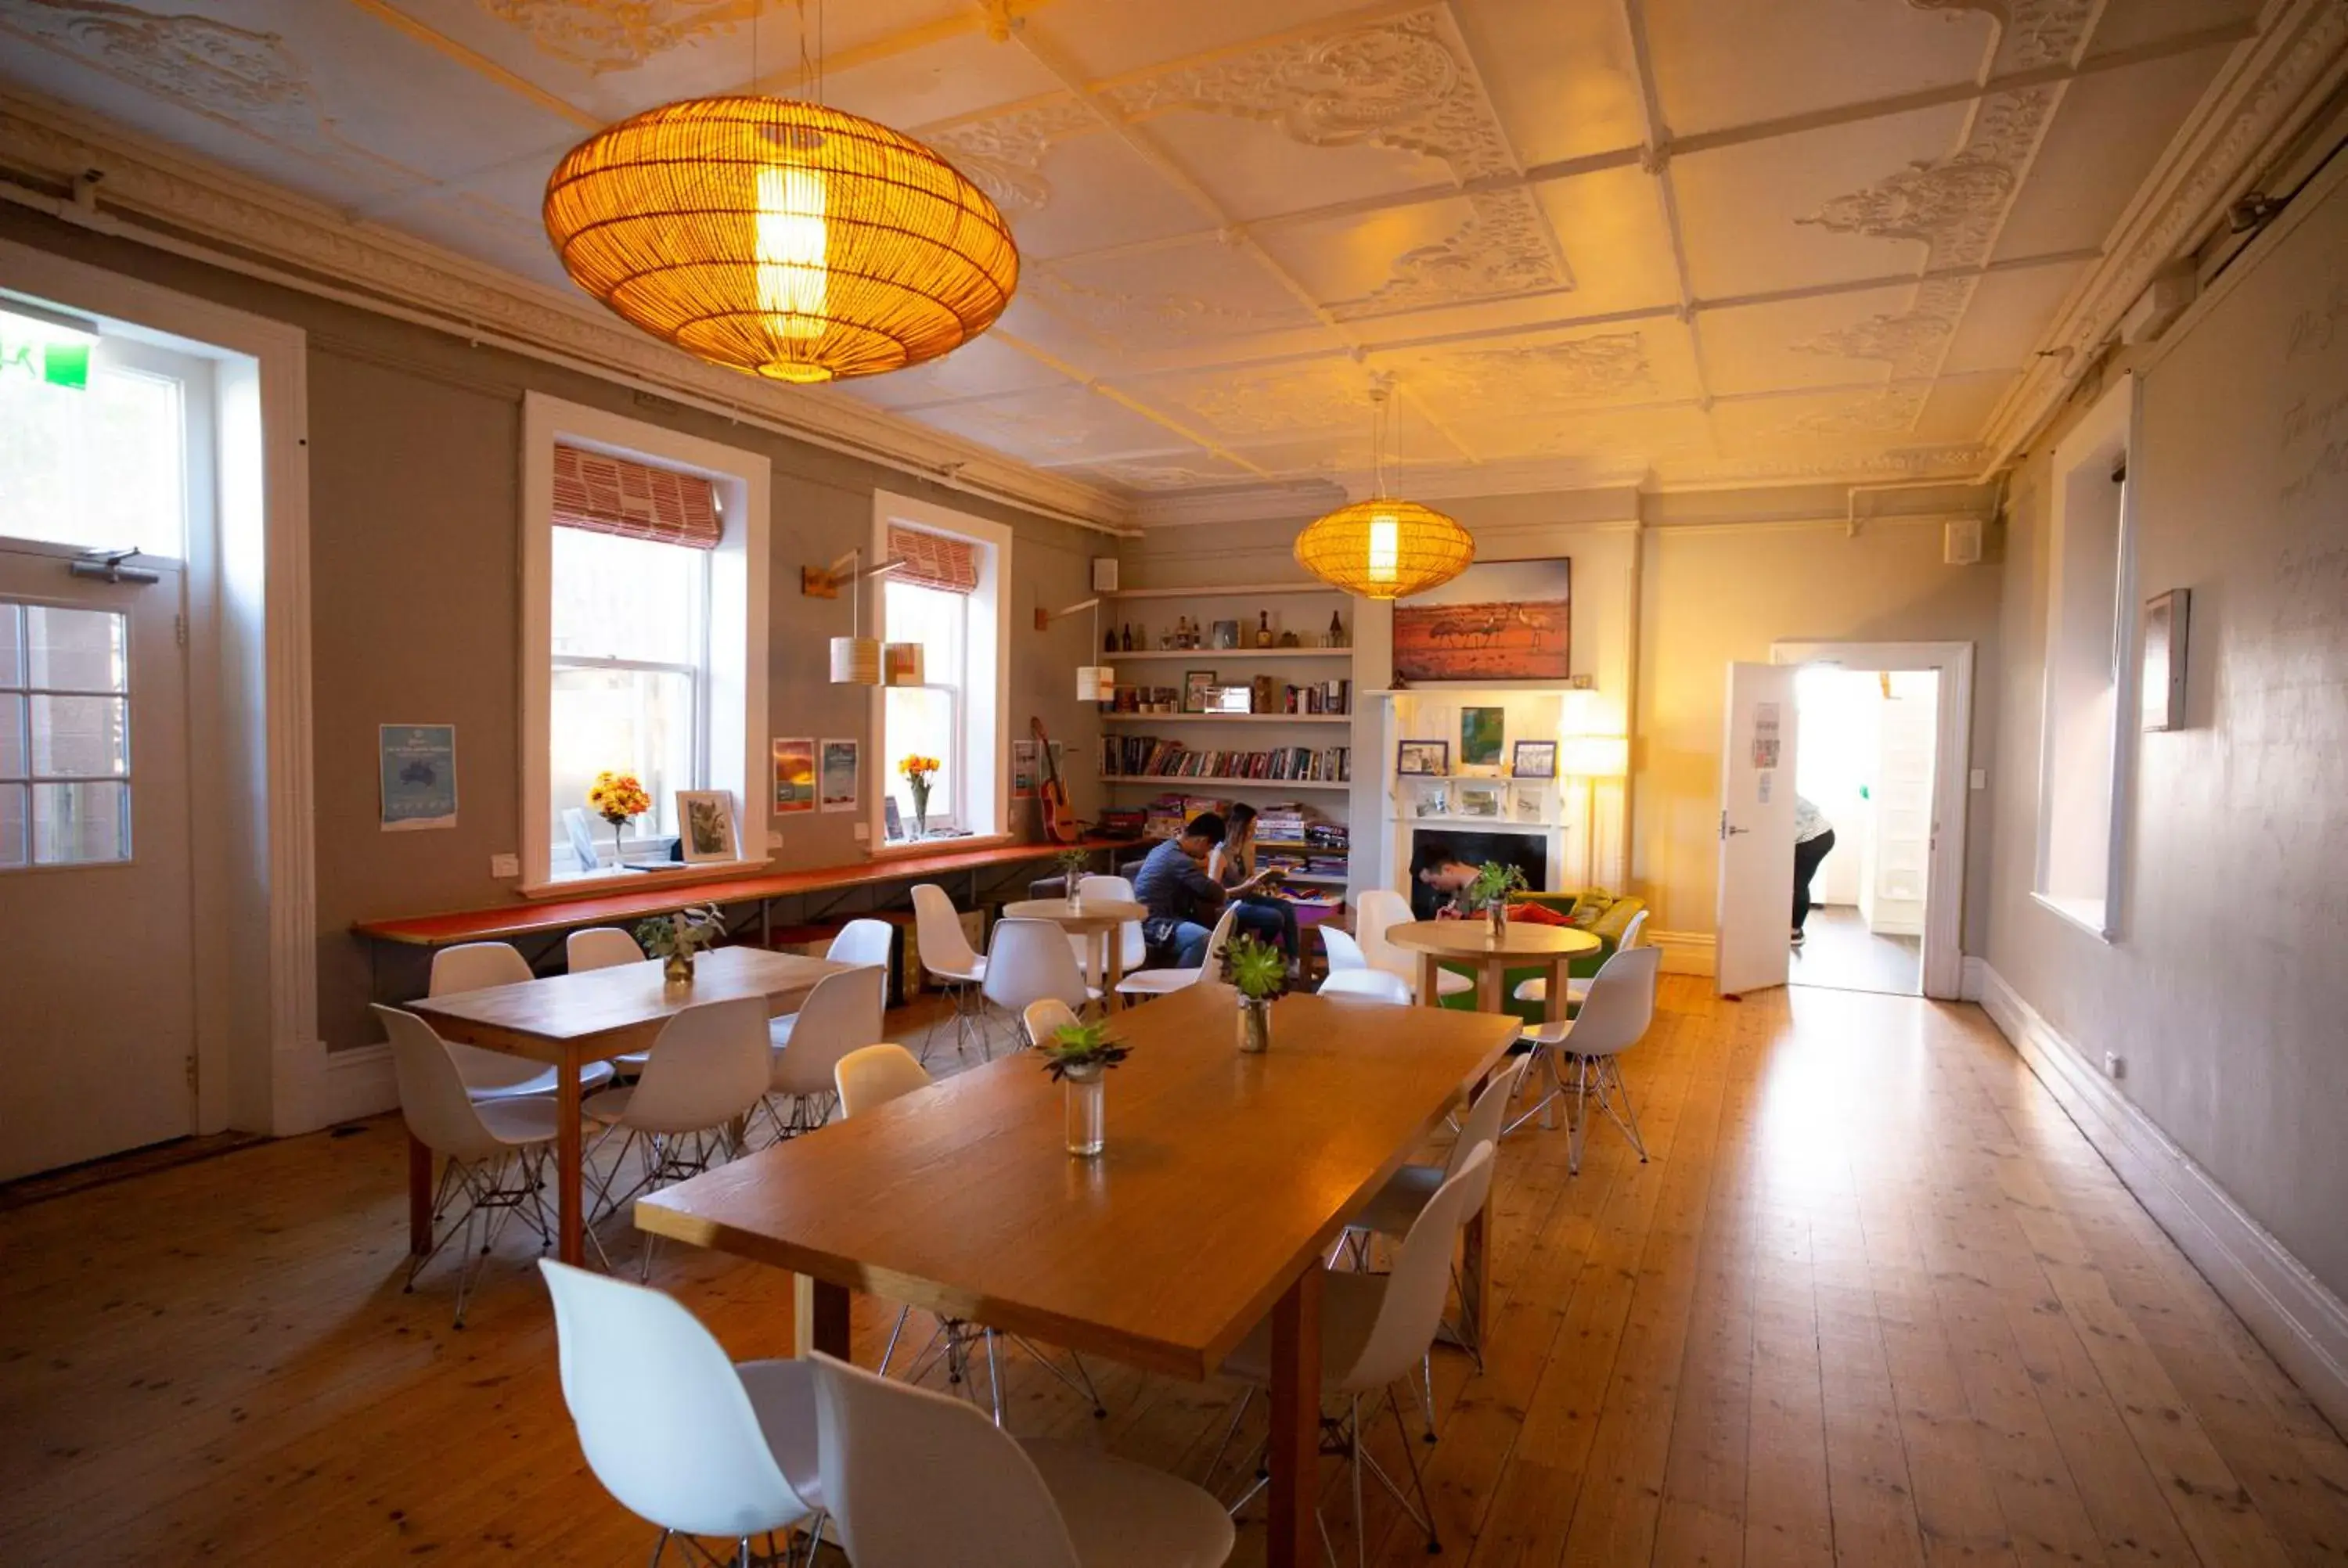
(781, 238)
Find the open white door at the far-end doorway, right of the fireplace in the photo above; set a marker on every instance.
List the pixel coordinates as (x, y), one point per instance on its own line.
(1757, 830)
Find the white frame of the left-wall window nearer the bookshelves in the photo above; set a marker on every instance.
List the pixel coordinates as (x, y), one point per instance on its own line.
(987, 673)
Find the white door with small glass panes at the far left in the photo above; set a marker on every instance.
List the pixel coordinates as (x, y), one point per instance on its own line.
(97, 1013)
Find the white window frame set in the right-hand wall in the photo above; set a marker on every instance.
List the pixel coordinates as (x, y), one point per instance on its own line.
(2096, 447)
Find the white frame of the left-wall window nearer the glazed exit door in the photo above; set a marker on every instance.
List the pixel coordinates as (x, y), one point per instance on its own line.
(736, 623)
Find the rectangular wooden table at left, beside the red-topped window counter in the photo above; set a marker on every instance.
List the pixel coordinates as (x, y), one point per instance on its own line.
(595, 1015)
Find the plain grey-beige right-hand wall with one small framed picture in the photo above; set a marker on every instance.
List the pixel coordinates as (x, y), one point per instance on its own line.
(2225, 987)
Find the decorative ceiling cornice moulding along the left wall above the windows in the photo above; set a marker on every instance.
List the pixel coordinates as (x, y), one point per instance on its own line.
(316, 250)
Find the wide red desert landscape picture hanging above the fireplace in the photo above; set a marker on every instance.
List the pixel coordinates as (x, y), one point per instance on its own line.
(1499, 621)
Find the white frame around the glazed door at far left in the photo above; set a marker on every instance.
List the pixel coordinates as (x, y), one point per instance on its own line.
(259, 1060)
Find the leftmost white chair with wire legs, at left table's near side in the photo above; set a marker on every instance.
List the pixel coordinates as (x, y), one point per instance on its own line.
(494, 1151)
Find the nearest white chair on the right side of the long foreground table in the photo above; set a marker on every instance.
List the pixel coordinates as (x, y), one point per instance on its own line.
(1375, 1334)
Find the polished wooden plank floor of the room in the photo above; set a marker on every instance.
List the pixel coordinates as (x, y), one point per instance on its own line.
(1873, 1302)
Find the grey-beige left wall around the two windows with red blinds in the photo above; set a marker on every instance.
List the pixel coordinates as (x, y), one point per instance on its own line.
(417, 588)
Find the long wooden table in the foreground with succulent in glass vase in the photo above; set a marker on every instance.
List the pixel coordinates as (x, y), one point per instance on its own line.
(1222, 1189)
